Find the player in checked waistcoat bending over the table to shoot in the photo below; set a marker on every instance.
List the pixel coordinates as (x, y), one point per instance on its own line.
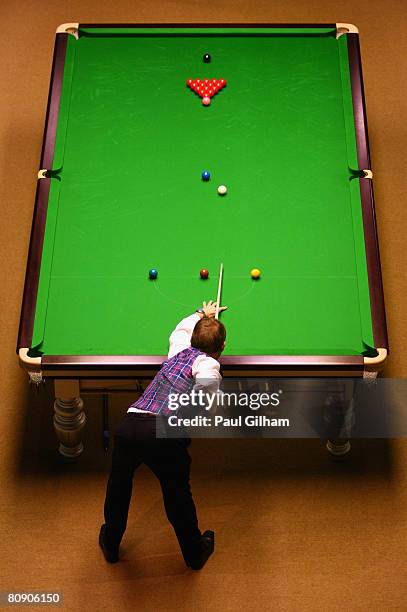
(195, 347)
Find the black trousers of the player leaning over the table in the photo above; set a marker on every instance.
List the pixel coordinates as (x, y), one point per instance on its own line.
(135, 443)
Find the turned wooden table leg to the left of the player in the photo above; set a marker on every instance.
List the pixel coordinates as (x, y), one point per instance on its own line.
(69, 418)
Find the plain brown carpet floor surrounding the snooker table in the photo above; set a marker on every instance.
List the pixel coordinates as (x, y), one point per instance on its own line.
(295, 530)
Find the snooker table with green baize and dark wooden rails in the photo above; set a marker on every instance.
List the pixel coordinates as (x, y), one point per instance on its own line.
(119, 192)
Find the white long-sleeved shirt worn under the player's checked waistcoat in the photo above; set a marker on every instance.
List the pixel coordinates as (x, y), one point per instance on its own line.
(205, 369)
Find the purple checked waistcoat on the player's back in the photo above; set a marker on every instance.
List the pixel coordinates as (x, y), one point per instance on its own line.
(175, 376)
